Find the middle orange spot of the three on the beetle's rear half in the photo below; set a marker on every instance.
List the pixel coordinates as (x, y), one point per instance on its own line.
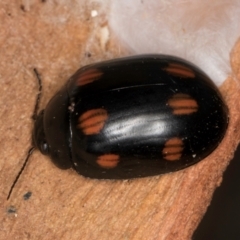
(182, 104)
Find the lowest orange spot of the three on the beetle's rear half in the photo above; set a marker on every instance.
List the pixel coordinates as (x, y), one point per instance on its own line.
(173, 148)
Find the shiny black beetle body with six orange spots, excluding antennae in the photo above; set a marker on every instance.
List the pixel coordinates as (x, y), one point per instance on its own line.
(132, 117)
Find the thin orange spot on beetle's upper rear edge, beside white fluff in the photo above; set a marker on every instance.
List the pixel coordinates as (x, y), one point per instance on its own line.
(179, 70)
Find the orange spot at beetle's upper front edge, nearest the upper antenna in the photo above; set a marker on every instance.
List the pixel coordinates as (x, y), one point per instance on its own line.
(88, 76)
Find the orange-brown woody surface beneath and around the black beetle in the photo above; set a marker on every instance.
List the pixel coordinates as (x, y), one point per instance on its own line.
(64, 205)
